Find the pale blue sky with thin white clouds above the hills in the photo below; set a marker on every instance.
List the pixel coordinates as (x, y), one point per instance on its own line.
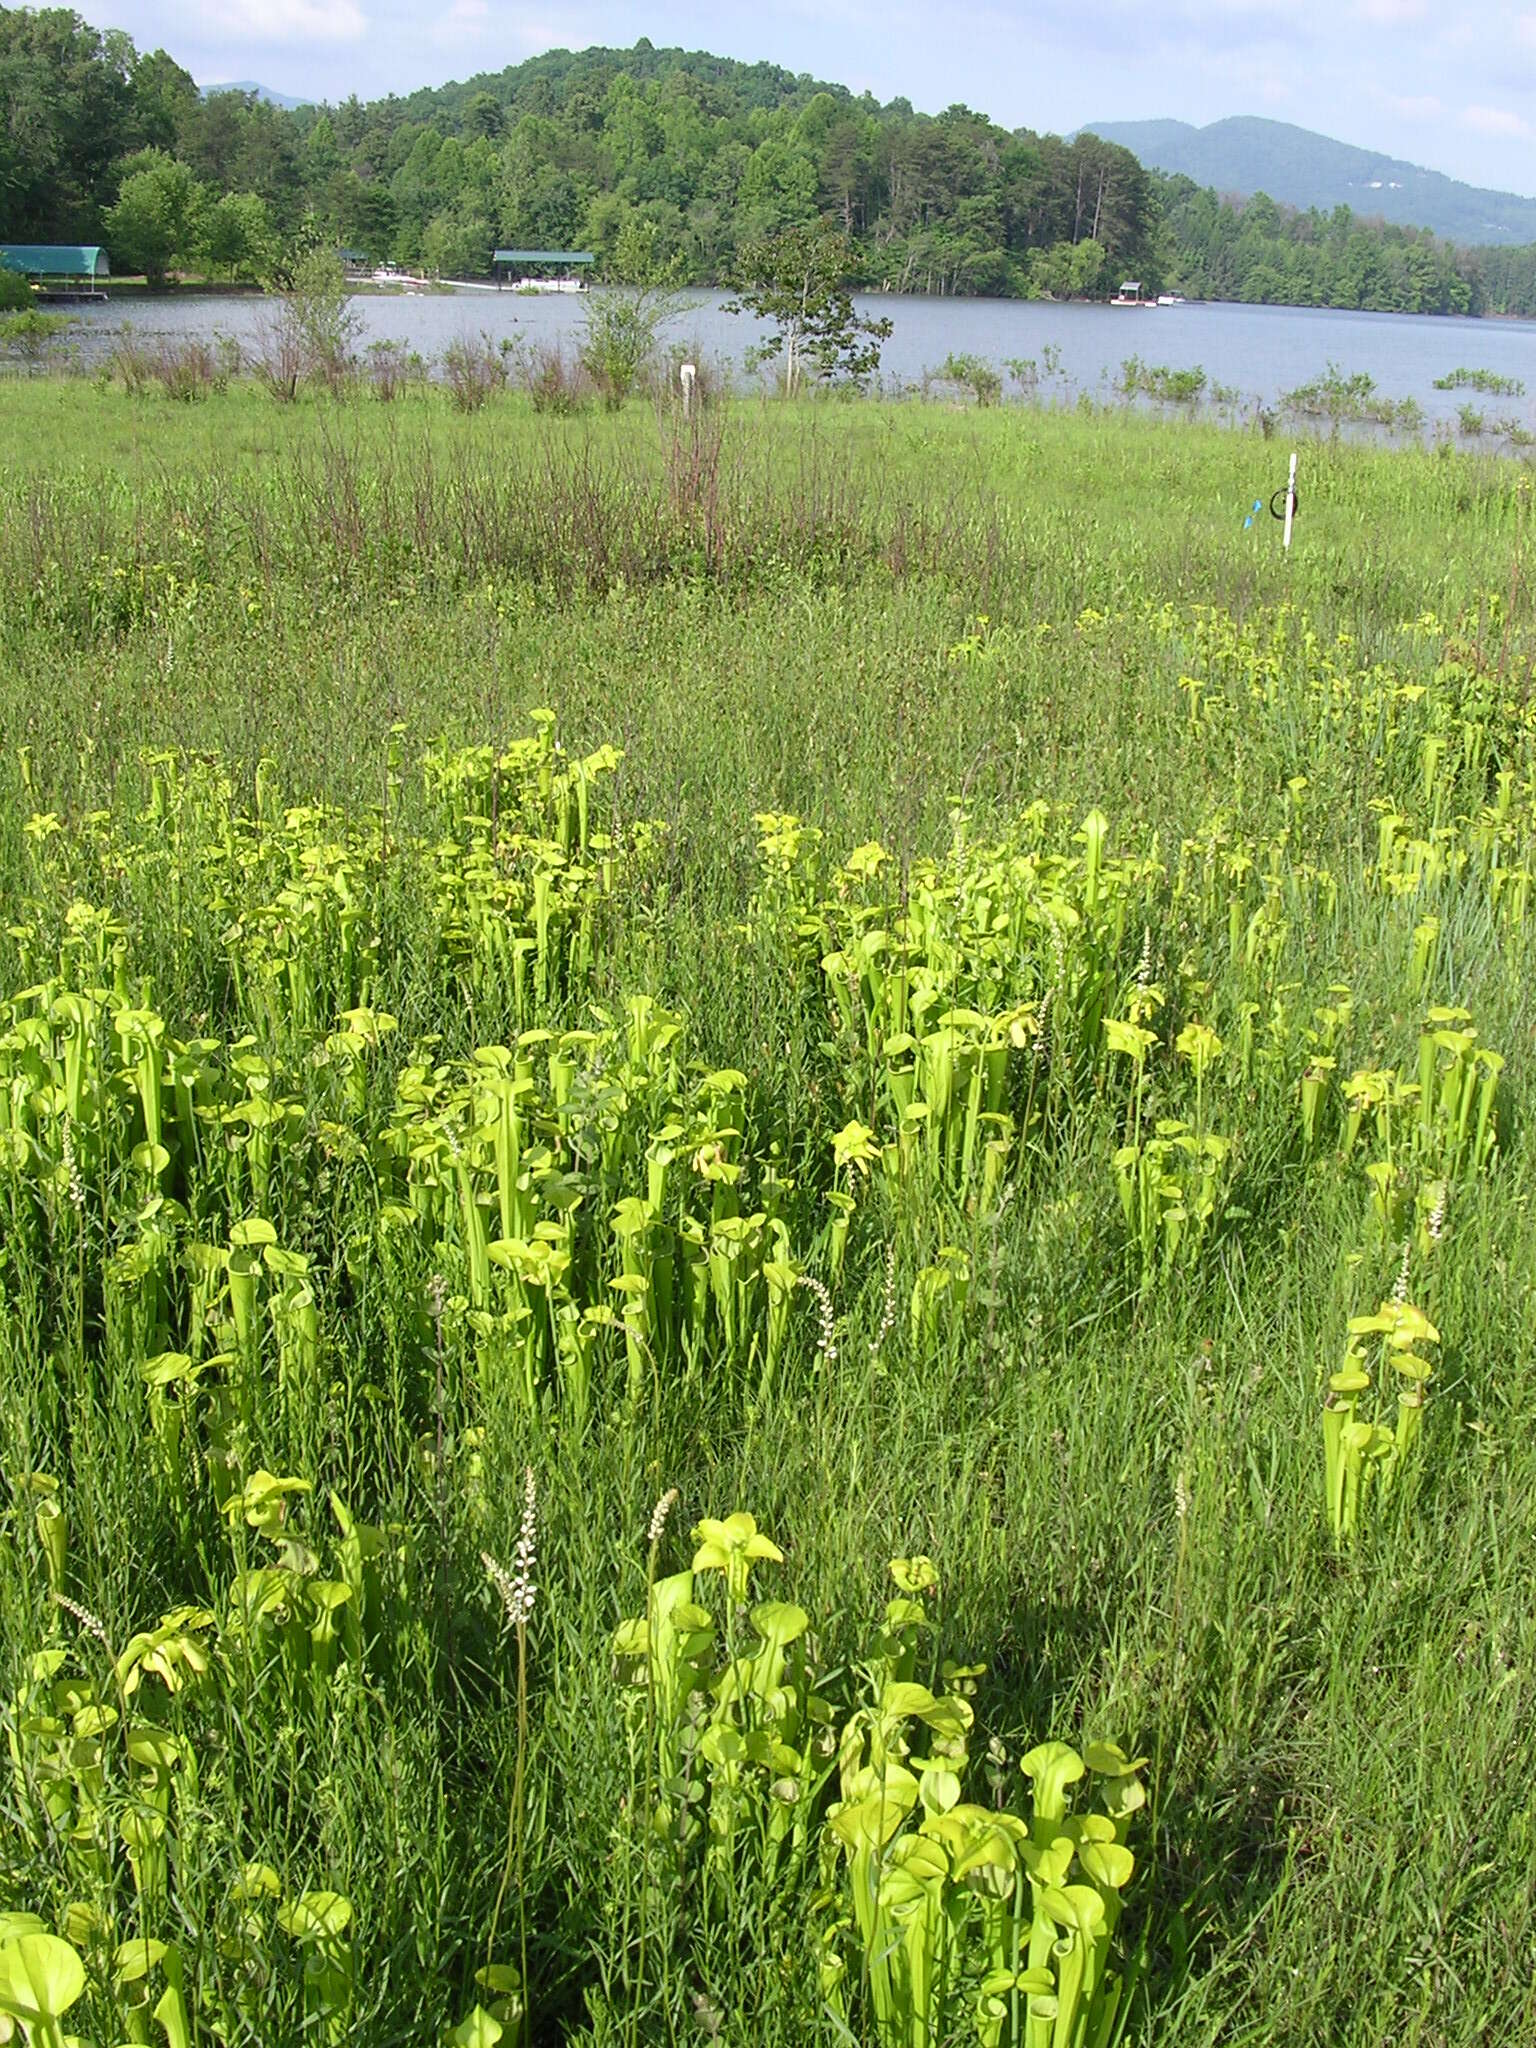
(1451, 87)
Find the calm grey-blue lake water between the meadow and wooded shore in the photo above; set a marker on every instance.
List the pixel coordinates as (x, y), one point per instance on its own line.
(1258, 351)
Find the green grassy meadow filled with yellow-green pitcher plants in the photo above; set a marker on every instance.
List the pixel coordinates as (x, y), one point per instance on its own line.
(765, 1230)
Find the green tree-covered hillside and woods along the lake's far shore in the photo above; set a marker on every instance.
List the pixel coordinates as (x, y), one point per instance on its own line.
(101, 142)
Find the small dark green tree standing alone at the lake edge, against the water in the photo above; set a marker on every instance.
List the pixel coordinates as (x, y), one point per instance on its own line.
(796, 282)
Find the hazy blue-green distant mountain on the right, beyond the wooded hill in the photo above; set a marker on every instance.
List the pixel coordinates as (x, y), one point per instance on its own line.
(1302, 169)
